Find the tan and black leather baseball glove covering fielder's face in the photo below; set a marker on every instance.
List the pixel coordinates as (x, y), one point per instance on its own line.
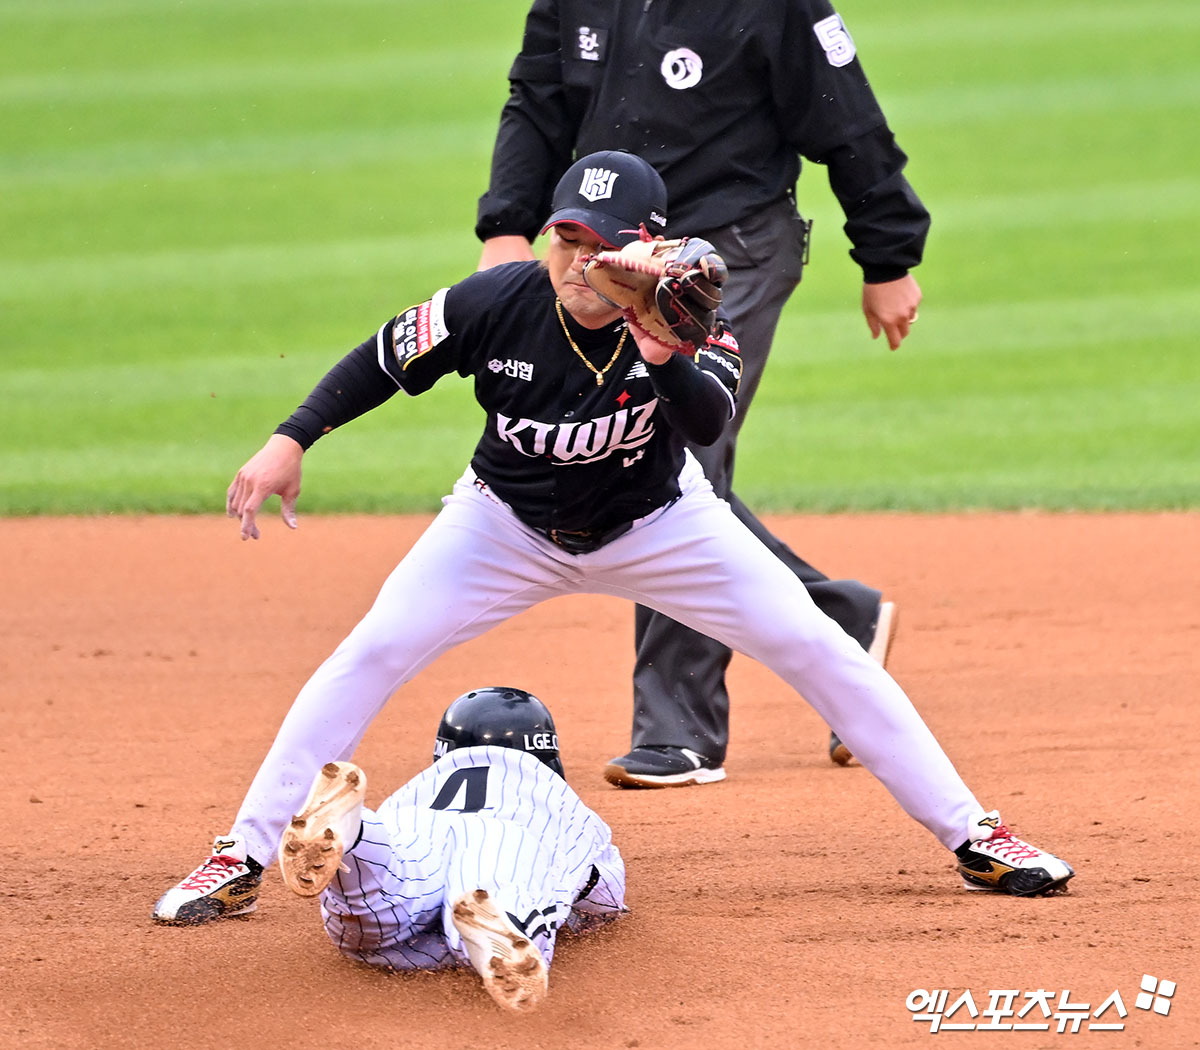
(670, 290)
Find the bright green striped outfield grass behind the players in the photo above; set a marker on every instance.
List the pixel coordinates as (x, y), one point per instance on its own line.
(205, 205)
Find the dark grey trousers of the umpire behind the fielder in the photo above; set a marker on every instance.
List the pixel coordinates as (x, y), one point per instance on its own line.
(680, 693)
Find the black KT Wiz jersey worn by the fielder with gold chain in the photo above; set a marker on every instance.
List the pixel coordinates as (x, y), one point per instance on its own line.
(563, 452)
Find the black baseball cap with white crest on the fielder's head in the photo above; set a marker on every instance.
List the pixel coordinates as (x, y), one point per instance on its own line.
(611, 194)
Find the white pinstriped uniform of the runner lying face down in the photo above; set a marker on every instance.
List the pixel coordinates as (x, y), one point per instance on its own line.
(487, 818)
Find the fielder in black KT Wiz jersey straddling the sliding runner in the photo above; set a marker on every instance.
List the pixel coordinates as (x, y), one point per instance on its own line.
(581, 483)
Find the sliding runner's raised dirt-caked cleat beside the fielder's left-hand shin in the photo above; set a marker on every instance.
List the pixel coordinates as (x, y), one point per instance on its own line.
(327, 827)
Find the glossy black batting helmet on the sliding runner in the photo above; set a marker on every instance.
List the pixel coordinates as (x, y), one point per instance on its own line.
(507, 718)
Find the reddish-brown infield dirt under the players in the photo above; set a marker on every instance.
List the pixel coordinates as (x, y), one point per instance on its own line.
(148, 662)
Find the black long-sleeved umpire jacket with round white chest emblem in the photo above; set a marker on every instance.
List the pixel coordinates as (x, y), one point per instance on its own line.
(724, 99)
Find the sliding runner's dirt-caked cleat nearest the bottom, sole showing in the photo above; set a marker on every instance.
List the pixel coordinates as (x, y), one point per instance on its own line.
(514, 971)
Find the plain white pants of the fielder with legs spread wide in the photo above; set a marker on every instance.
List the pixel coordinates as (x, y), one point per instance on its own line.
(478, 566)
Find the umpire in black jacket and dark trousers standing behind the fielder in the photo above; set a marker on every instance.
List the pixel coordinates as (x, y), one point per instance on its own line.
(723, 100)
